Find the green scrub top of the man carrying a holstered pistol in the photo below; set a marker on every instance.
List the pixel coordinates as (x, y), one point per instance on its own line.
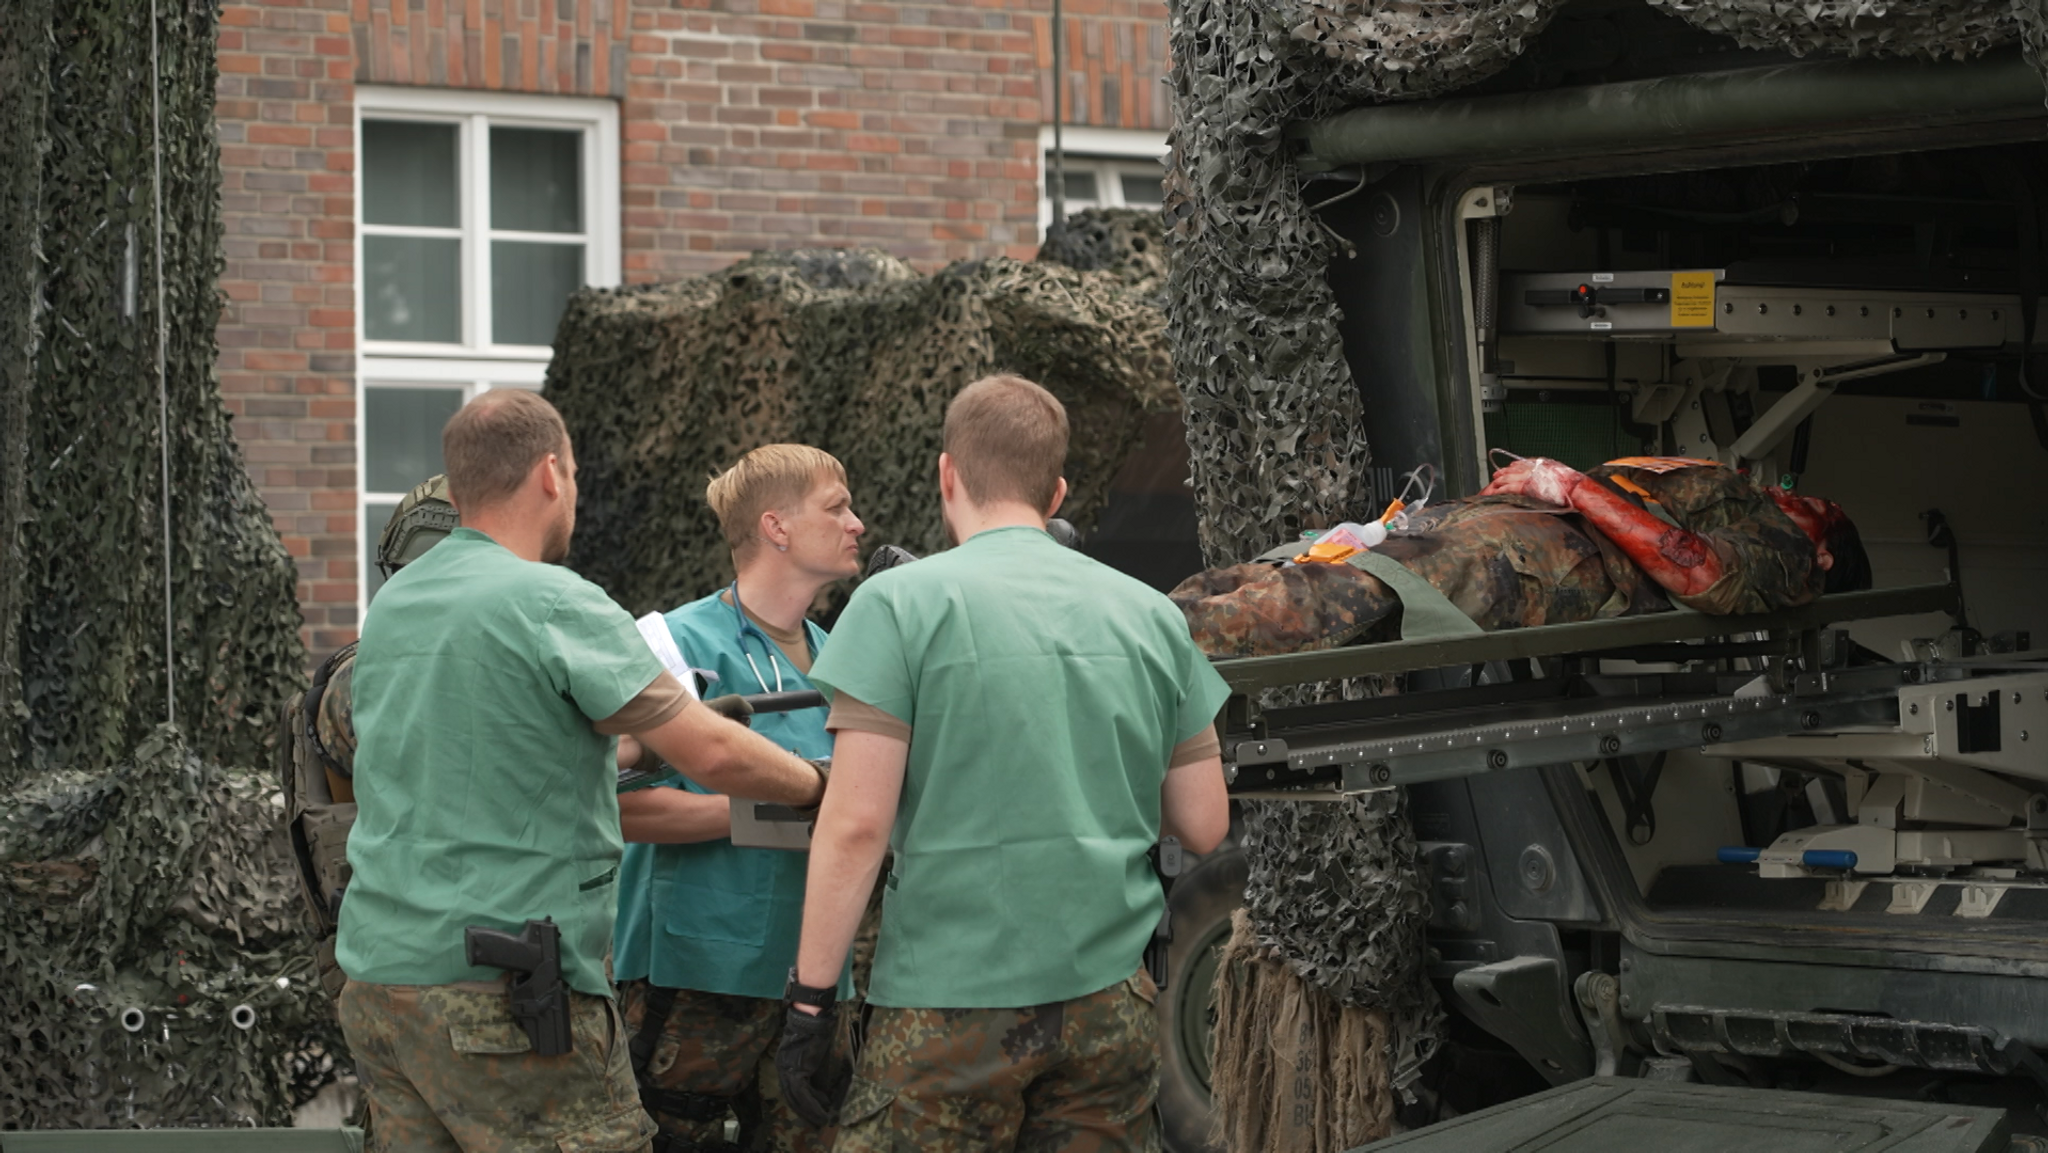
(484, 798)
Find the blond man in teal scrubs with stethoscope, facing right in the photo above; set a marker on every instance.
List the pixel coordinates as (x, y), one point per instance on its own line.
(708, 929)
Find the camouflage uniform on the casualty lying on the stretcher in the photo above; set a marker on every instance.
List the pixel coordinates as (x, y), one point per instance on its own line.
(1517, 562)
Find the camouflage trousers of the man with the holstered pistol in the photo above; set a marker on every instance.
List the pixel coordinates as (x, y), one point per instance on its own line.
(445, 1068)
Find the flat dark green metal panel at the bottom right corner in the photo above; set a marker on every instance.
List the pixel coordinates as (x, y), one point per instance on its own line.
(1611, 1115)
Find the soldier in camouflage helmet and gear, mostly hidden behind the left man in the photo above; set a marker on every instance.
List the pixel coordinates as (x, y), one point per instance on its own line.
(318, 746)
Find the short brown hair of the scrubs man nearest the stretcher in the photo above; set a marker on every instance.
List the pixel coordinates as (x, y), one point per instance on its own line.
(1009, 441)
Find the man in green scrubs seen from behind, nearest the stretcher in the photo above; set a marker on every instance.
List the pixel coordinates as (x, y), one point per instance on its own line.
(1021, 724)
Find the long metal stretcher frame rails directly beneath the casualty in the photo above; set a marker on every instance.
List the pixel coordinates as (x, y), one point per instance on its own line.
(1340, 749)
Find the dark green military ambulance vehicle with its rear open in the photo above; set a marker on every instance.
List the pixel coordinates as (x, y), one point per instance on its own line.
(1699, 857)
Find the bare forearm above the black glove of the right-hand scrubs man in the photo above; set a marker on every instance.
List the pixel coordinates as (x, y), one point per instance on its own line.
(847, 849)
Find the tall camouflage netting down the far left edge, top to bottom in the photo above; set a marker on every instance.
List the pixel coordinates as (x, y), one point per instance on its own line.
(140, 865)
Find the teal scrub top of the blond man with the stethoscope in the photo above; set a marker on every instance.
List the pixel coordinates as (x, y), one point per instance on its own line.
(714, 916)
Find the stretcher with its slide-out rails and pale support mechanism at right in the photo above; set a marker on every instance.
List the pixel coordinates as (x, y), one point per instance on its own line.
(1947, 763)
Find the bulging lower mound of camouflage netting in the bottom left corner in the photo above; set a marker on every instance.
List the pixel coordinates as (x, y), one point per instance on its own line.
(159, 970)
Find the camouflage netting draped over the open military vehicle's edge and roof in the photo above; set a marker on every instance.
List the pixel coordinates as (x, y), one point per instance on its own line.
(1271, 404)
